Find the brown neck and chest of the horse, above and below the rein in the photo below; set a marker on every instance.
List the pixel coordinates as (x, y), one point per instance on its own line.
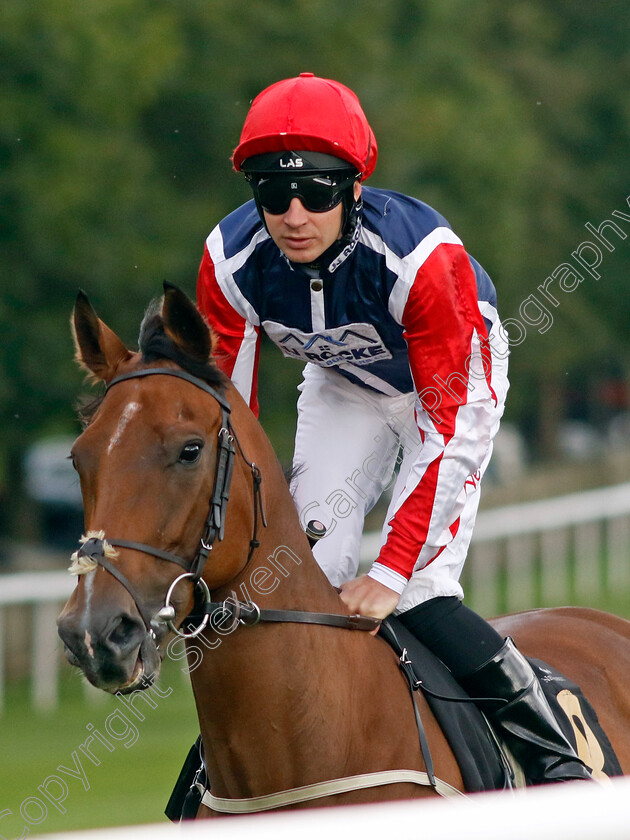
(283, 705)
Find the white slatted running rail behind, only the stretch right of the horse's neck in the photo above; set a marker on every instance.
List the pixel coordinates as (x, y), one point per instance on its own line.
(544, 553)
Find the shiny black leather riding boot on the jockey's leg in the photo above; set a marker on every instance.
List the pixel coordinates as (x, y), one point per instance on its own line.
(526, 721)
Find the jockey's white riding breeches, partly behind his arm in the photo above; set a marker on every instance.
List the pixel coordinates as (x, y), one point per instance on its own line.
(347, 444)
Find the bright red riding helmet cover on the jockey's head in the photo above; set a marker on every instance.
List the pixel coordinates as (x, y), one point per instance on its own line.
(310, 114)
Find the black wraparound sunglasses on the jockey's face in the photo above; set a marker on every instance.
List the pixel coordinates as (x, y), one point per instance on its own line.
(318, 193)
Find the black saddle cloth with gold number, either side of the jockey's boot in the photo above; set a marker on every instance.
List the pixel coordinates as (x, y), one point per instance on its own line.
(482, 763)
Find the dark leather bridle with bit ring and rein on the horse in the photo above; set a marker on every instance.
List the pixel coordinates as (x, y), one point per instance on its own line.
(247, 614)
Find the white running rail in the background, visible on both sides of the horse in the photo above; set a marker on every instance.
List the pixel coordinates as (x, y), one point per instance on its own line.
(522, 556)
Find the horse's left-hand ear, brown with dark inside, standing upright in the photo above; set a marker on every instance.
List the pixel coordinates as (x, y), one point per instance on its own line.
(98, 350)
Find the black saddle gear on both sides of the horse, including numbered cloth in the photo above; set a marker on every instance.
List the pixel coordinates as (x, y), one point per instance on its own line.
(484, 762)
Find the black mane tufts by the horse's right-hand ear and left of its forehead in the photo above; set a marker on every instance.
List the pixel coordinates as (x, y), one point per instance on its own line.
(154, 344)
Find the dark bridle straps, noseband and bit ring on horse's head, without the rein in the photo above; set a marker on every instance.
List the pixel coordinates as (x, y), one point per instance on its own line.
(94, 548)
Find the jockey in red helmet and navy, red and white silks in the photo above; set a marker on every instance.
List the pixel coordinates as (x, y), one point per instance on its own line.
(404, 382)
